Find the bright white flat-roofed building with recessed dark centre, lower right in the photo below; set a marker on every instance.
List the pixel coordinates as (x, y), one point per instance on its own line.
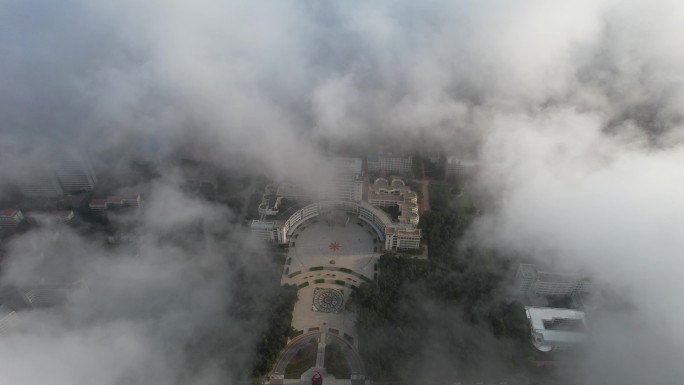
(556, 329)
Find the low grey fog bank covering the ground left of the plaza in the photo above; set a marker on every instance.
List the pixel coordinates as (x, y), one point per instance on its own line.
(175, 306)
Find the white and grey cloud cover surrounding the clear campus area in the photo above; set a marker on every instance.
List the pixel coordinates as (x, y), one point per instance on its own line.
(574, 110)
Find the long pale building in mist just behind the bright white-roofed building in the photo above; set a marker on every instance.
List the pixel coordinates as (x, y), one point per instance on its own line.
(529, 279)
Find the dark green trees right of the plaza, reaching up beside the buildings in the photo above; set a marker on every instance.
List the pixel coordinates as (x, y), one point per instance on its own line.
(445, 317)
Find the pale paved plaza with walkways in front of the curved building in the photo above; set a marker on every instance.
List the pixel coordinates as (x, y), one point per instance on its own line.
(342, 255)
